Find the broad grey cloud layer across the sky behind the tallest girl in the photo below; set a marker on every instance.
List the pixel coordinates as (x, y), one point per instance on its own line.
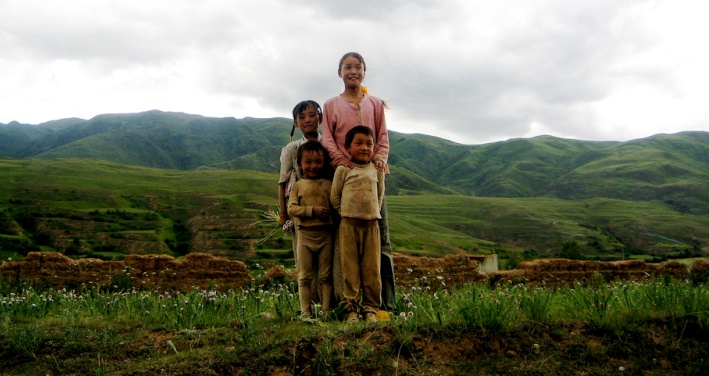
(479, 70)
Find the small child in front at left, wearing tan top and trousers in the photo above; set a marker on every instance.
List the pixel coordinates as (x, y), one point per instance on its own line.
(309, 205)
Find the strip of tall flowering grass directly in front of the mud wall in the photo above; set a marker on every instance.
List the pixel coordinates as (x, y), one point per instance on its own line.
(473, 306)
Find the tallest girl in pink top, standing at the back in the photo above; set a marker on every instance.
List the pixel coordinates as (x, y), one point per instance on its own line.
(351, 108)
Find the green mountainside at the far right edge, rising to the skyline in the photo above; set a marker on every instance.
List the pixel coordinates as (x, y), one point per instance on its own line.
(668, 168)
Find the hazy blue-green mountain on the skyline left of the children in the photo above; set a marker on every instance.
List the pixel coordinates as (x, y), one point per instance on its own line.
(174, 141)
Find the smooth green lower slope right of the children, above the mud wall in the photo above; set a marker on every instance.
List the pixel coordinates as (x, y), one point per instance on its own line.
(539, 223)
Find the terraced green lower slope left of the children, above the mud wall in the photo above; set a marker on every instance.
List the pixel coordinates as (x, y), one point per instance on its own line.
(71, 197)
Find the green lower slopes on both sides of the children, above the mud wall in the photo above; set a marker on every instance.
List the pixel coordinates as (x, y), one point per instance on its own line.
(421, 224)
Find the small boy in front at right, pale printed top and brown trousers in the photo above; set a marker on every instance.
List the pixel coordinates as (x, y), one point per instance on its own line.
(357, 194)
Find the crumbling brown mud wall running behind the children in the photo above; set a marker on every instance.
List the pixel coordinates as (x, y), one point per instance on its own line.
(202, 270)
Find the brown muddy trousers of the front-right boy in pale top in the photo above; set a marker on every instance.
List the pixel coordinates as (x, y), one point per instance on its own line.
(360, 263)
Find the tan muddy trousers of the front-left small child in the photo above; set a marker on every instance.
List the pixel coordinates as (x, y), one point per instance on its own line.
(314, 265)
